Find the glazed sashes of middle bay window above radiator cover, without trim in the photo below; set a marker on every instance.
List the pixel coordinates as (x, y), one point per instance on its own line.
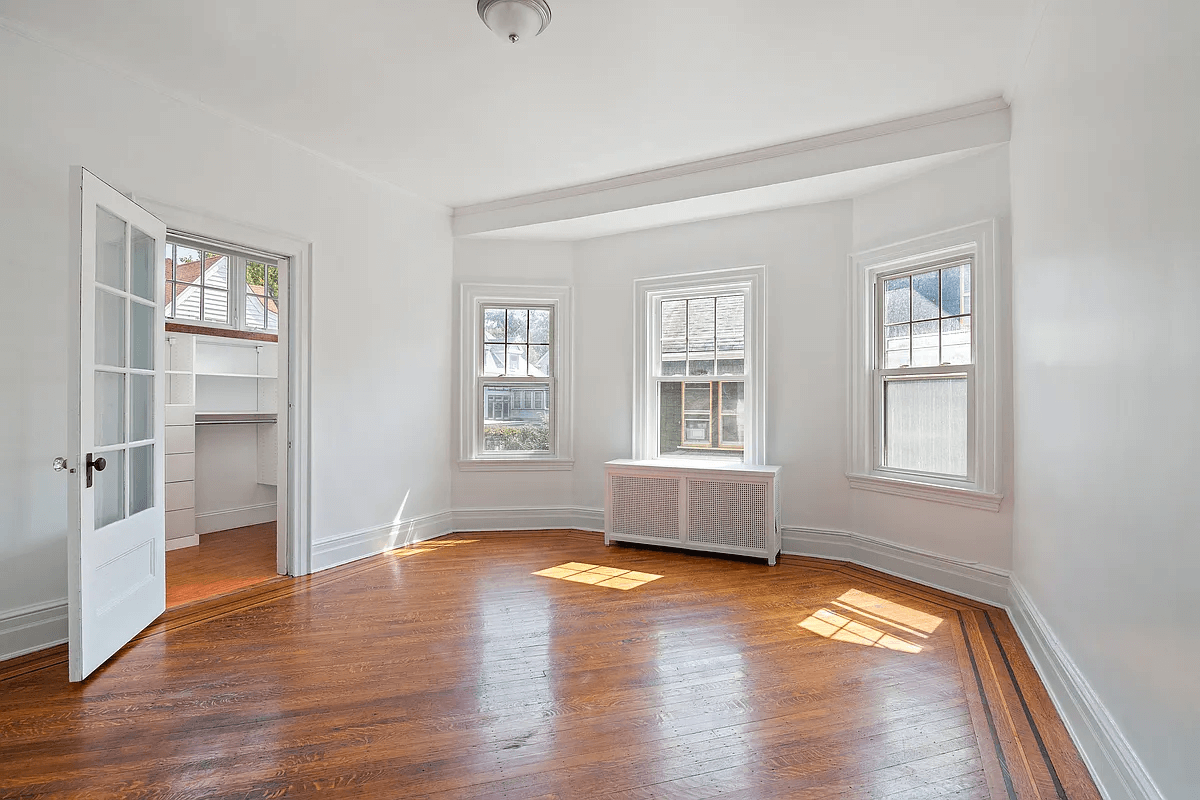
(698, 338)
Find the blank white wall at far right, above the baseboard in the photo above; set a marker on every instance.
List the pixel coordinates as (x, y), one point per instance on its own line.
(1107, 338)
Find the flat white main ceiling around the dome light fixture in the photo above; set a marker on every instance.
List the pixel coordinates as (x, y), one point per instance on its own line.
(423, 95)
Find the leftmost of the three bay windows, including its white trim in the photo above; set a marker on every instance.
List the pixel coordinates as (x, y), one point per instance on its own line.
(514, 372)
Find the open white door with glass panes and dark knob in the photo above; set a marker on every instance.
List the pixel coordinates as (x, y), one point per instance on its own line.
(117, 502)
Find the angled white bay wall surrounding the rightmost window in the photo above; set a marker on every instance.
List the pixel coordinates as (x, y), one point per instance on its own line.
(968, 191)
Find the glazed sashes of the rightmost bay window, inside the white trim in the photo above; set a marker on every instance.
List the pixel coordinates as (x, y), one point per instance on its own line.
(925, 371)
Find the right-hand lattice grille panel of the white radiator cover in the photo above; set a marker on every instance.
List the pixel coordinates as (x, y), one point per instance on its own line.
(725, 513)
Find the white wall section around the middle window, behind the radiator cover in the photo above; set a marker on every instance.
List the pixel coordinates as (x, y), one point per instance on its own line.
(806, 254)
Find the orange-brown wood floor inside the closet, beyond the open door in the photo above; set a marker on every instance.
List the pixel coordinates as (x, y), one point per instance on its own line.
(223, 563)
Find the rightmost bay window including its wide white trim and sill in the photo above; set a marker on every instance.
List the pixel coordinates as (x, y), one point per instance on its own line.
(925, 382)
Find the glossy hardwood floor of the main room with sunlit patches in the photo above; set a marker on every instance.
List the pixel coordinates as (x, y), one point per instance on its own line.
(451, 670)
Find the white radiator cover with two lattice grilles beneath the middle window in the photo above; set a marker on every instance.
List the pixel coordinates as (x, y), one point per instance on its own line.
(704, 507)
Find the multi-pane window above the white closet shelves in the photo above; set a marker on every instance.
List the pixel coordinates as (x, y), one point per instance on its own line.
(221, 288)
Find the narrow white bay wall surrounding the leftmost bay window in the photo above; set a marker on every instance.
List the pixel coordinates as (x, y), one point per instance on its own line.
(485, 261)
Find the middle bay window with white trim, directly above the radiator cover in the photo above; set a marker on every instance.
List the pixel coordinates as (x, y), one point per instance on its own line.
(701, 392)
